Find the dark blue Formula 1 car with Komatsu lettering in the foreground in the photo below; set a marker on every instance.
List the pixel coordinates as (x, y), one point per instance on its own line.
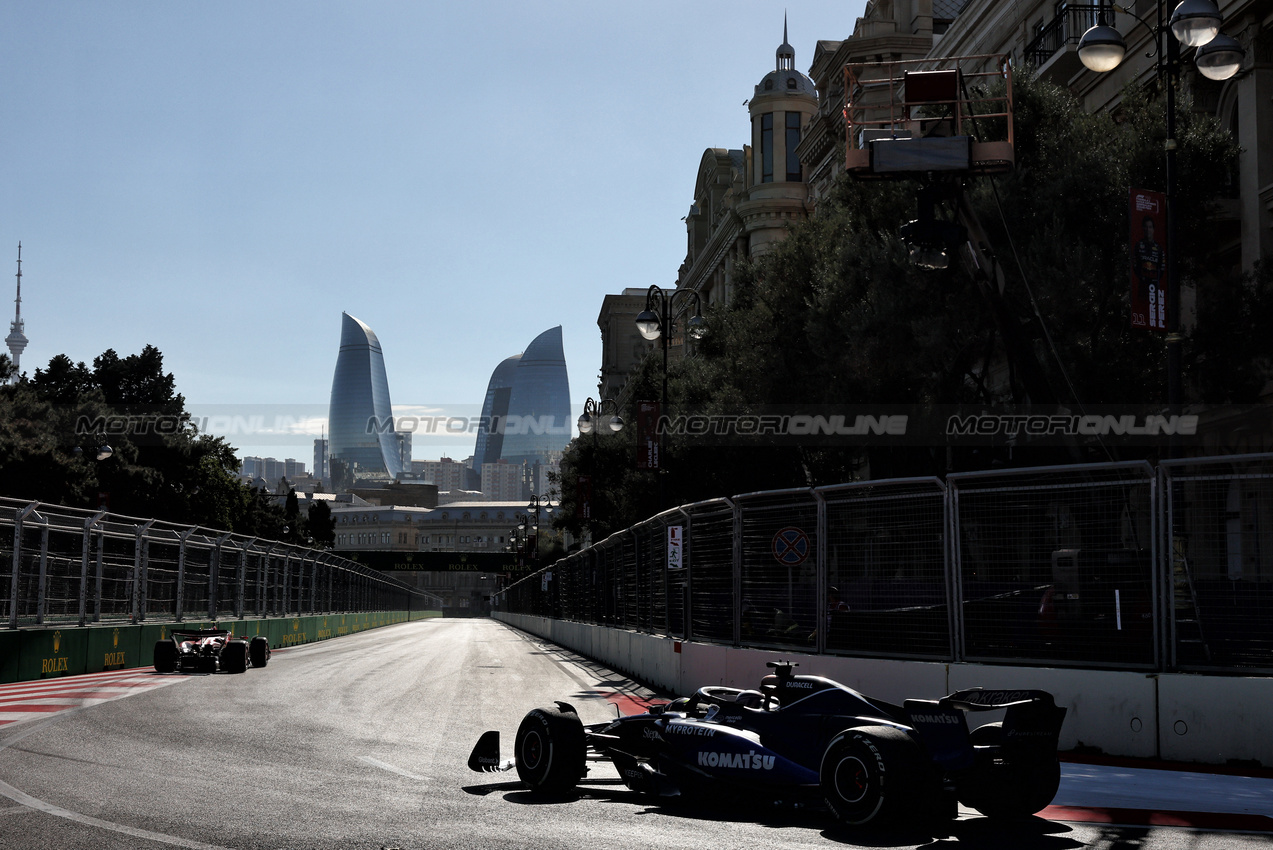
(806, 737)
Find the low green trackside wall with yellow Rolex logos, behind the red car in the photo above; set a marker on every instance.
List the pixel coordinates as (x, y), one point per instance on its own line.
(29, 655)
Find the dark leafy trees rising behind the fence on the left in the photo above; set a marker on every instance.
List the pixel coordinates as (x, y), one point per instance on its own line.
(53, 424)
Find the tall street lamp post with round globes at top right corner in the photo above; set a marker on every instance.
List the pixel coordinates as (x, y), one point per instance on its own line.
(1195, 24)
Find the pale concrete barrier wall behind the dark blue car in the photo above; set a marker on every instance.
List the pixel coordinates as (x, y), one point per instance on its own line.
(1207, 720)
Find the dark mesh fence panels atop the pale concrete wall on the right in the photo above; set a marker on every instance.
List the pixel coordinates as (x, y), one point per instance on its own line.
(1116, 566)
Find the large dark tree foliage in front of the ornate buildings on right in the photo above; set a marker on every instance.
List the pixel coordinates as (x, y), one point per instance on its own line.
(837, 315)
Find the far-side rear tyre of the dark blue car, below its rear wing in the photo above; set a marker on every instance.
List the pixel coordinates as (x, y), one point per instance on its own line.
(1009, 791)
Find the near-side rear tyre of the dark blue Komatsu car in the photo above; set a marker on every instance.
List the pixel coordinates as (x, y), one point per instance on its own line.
(871, 776)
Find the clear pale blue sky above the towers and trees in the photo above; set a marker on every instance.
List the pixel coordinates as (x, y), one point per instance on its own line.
(221, 180)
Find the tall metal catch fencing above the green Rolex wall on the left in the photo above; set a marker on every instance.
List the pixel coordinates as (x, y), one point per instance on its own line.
(64, 566)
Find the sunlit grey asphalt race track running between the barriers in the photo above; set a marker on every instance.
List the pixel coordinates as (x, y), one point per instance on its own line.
(362, 744)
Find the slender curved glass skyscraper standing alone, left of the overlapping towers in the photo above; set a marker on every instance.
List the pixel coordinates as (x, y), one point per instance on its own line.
(361, 421)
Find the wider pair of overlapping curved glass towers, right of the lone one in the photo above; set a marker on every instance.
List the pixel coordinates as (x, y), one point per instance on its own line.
(528, 405)
